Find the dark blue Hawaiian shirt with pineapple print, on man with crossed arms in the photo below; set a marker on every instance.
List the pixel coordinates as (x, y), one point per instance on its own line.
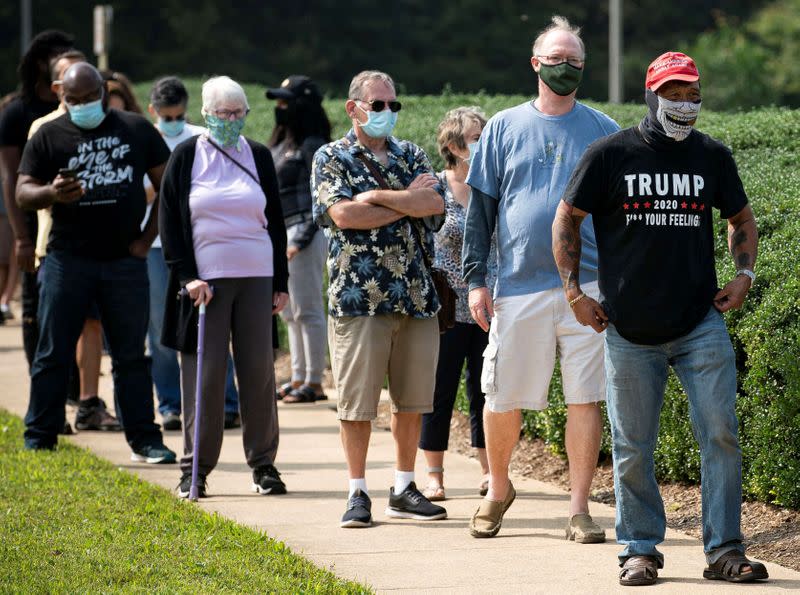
(380, 270)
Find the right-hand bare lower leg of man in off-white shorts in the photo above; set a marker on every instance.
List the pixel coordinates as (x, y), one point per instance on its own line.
(582, 439)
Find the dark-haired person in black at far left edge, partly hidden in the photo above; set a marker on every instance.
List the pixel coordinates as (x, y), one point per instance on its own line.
(35, 100)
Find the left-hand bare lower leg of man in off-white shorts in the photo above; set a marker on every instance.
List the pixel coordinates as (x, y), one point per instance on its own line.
(502, 434)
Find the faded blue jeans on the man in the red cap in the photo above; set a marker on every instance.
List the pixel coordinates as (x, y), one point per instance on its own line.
(636, 376)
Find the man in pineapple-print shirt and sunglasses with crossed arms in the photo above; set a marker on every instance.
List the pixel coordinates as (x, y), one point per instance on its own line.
(382, 302)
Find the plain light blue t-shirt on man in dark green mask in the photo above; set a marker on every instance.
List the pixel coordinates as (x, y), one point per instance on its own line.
(524, 159)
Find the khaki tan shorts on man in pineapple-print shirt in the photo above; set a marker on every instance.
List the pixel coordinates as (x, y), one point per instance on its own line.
(365, 349)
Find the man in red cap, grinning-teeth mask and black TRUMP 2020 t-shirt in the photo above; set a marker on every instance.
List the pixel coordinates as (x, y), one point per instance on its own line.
(650, 190)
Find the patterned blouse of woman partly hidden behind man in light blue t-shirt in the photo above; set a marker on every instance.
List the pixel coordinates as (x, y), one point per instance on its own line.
(449, 240)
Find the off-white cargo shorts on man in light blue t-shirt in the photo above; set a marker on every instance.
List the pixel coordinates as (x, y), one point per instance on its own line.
(526, 334)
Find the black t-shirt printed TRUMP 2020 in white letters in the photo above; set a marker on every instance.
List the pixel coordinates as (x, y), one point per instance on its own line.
(651, 203)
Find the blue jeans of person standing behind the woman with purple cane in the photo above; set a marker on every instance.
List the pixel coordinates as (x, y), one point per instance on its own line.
(166, 370)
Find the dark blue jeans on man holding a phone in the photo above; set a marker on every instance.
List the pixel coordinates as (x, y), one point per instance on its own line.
(120, 289)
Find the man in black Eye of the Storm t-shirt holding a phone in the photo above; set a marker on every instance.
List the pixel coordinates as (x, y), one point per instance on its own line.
(89, 164)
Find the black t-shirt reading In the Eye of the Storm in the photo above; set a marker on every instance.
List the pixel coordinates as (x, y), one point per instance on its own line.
(111, 162)
